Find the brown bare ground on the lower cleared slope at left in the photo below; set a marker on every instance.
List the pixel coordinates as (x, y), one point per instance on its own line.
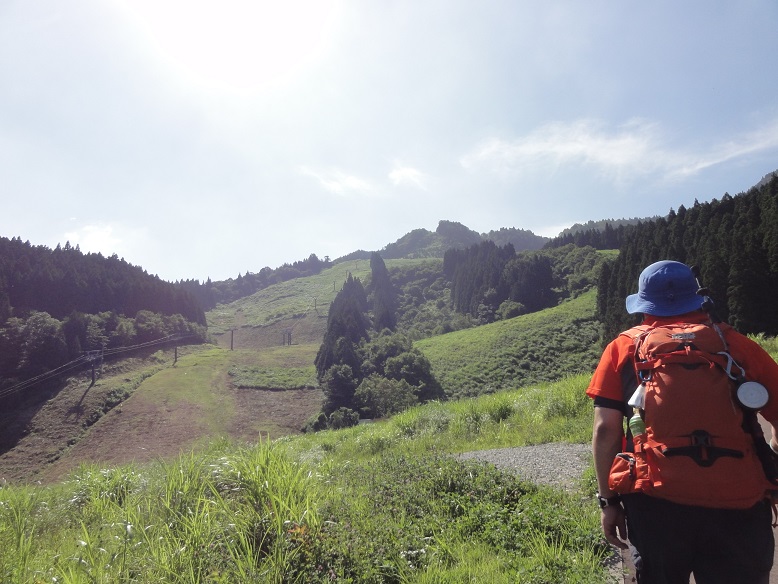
(47, 440)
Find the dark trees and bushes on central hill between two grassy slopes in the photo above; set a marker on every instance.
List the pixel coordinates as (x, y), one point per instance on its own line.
(368, 365)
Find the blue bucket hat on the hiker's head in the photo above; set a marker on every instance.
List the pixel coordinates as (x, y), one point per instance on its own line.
(666, 288)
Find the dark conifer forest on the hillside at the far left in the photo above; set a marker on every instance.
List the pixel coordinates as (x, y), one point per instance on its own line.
(57, 305)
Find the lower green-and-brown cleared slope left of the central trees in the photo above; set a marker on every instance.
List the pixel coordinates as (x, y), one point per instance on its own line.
(172, 408)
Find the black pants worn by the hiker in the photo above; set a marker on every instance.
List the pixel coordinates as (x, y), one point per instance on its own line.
(718, 546)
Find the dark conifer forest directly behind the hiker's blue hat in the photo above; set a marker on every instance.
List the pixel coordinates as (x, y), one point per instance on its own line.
(734, 242)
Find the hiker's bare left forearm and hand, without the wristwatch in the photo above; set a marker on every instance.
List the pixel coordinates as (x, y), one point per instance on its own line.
(607, 437)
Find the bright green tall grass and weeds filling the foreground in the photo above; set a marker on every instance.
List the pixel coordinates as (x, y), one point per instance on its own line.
(382, 502)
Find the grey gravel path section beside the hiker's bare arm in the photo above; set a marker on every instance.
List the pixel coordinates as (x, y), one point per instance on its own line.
(557, 463)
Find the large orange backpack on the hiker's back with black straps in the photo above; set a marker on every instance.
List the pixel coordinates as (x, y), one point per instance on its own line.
(697, 448)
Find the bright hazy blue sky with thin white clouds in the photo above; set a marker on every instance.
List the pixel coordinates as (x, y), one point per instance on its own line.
(205, 139)
